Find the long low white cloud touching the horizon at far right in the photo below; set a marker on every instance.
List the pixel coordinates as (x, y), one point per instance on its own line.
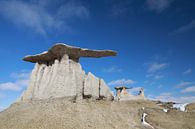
(168, 97)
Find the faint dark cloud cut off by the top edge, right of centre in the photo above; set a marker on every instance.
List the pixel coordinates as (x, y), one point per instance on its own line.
(158, 5)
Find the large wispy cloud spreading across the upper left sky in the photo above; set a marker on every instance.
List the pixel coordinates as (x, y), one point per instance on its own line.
(38, 17)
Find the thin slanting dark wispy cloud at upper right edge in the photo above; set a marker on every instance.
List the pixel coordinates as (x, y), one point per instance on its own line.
(185, 28)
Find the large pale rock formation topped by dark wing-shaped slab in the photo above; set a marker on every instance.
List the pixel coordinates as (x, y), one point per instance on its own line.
(58, 73)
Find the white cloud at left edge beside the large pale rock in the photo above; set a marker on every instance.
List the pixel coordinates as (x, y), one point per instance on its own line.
(21, 82)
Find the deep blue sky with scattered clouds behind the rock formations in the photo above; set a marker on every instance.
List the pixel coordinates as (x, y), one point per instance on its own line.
(155, 40)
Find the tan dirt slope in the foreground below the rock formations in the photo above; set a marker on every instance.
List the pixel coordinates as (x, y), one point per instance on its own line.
(66, 114)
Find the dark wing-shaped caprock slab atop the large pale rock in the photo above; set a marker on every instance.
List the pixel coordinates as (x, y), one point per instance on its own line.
(60, 49)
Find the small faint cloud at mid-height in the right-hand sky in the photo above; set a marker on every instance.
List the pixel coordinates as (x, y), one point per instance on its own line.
(155, 67)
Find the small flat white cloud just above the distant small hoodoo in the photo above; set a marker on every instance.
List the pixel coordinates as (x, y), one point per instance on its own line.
(121, 82)
